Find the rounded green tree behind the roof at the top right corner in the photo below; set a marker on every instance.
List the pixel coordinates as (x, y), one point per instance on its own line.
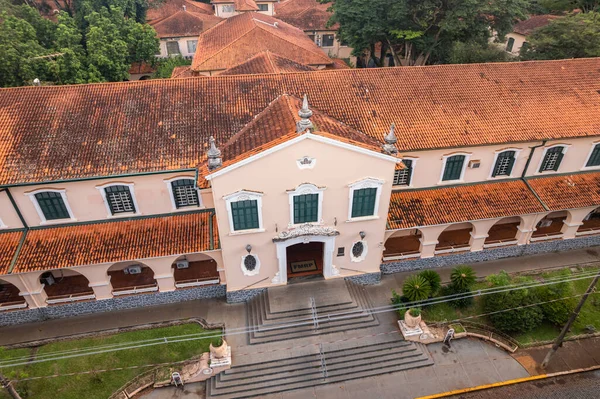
(574, 36)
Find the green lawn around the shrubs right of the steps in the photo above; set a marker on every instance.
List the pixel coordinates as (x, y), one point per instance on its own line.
(589, 315)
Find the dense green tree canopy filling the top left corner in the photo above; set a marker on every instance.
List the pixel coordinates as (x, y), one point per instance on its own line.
(99, 43)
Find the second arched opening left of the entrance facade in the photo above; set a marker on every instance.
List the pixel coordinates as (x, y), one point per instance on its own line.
(132, 278)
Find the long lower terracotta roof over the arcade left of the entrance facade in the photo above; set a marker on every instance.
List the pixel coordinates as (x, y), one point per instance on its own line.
(115, 241)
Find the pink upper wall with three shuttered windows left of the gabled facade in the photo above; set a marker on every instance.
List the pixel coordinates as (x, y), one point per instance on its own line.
(86, 202)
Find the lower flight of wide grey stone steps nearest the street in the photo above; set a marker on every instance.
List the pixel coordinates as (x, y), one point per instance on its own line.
(328, 363)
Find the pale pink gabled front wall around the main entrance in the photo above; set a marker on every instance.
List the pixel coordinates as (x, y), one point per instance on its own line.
(278, 172)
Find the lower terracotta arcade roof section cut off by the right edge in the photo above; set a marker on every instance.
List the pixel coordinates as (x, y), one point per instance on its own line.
(560, 192)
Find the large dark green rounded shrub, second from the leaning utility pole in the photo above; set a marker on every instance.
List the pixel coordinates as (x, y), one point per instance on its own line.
(515, 320)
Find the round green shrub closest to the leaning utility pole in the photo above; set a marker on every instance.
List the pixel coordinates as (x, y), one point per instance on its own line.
(557, 312)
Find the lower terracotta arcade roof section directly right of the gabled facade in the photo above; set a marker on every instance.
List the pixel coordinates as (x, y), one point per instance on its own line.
(413, 208)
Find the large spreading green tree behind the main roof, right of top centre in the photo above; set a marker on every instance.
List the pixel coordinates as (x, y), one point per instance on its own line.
(419, 32)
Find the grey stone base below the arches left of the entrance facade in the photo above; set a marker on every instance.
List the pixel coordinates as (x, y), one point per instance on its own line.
(107, 305)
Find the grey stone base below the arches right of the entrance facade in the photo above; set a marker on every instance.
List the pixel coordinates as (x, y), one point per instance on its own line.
(490, 254)
